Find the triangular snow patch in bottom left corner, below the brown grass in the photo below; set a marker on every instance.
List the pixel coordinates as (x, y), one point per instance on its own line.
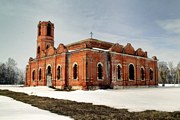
(14, 110)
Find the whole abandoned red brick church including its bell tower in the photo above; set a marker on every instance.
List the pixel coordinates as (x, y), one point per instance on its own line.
(88, 64)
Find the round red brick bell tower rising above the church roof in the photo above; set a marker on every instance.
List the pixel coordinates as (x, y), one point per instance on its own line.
(45, 37)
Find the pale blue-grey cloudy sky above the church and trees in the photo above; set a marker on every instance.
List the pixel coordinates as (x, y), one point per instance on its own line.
(153, 25)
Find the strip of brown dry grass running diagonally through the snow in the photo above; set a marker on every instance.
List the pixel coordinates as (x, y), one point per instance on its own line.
(88, 111)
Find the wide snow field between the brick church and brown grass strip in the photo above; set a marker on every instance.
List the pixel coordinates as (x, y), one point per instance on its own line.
(134, 99)
